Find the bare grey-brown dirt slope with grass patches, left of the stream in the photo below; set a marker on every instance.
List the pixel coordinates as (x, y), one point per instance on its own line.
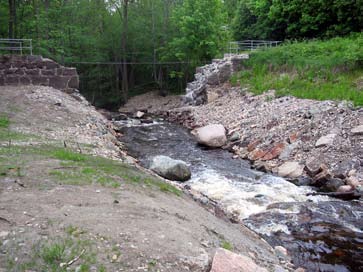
(64, 210)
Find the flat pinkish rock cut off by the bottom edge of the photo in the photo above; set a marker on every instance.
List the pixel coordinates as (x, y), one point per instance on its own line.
(227, 261)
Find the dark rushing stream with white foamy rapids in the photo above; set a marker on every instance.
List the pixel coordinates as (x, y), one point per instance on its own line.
(320, 233)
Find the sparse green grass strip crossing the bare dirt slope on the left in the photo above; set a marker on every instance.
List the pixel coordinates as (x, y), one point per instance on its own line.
(78, 169)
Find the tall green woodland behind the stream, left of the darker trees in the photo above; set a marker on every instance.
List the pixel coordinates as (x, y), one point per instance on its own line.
(160, 40)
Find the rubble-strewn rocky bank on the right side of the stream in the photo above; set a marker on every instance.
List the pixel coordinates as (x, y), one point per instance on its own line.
(311, 142)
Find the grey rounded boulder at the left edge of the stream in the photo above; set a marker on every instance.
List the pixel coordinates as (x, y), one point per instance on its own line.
(170, 169)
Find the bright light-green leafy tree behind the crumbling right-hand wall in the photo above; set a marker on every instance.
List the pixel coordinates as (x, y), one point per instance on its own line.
(202, 31)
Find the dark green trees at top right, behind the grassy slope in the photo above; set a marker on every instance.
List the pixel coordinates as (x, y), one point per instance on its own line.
(297, 19)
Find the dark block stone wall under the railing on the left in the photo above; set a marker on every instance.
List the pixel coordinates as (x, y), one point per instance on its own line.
(35, 70)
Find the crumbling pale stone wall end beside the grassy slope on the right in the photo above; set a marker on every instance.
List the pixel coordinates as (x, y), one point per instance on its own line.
(218, 72)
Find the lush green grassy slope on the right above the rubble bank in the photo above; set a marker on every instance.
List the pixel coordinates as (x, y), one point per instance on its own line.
(321, 70)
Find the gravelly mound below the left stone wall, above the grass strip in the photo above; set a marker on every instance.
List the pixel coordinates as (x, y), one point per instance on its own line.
(66, 119)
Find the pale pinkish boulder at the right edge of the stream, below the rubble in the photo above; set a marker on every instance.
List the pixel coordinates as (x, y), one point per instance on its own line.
(212, 135)
